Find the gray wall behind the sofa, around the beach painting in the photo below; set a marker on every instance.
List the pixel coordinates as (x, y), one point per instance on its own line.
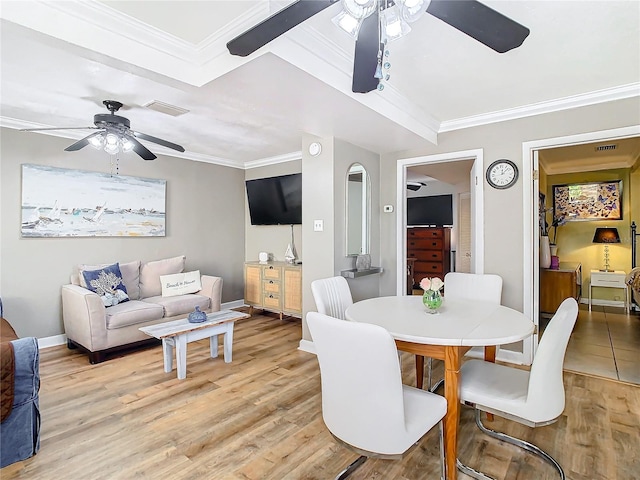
(205, 220)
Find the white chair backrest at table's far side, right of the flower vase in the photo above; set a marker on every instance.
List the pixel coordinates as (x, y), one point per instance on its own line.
(473, 286)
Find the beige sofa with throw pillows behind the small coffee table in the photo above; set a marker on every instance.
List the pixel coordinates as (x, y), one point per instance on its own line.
(88, 323)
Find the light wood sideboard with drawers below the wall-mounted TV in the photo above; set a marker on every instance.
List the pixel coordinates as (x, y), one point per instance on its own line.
(273, 286)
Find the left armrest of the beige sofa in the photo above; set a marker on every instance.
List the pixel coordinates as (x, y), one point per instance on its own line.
(84, 317)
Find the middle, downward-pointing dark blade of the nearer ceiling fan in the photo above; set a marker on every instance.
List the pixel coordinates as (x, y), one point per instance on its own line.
(365, 59)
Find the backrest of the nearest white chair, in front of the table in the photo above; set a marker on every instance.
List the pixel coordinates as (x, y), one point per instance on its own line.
(362, 395)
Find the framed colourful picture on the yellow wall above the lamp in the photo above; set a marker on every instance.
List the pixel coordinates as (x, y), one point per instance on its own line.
(588, 201)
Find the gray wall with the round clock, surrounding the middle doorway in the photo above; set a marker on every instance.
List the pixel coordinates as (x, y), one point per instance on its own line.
(504, 240)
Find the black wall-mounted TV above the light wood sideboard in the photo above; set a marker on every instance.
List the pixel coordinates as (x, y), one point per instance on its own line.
(275, 200)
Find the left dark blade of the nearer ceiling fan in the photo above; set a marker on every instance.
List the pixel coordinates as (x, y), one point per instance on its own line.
(274, 26)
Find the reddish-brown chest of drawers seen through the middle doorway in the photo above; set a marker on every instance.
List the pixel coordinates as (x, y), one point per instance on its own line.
(430, 247)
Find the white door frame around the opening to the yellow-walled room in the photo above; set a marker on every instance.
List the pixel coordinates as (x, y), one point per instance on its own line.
(530, 256)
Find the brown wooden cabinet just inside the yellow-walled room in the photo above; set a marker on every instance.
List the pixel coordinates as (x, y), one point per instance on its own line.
(558, 284)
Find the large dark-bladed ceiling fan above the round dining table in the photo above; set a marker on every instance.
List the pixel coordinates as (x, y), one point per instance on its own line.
(471, 17)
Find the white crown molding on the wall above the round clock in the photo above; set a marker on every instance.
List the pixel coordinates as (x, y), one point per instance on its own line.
(575, 101)
